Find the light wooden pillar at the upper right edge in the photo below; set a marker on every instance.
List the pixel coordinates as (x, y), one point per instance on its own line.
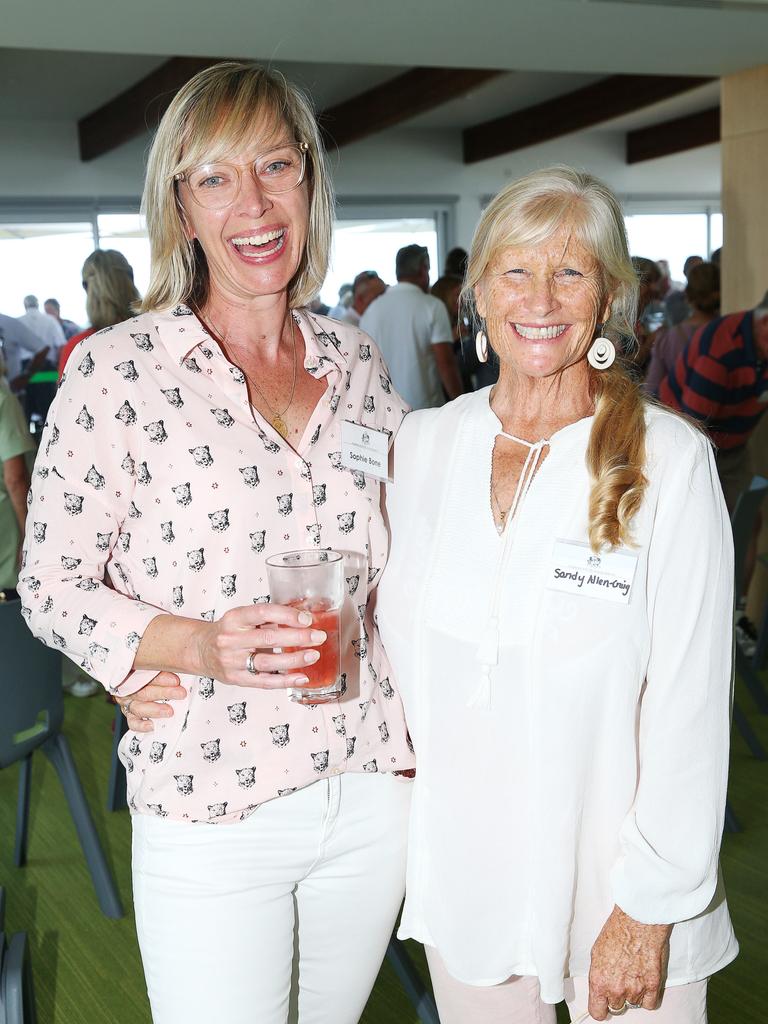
(745, 156)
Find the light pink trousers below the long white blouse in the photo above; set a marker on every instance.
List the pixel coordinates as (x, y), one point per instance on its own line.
(518, 1002)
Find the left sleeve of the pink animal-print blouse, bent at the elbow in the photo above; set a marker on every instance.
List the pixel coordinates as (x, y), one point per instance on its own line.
(81, 494)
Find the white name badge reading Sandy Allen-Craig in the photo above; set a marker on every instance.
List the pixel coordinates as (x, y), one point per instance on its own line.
(577, 570)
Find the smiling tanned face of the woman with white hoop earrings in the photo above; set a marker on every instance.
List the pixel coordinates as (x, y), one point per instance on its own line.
(542, 305)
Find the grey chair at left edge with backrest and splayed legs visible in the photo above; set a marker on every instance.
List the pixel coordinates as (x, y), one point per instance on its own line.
(31, 718)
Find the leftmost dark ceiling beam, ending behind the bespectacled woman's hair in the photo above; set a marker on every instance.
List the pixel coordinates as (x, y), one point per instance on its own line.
(139, 109)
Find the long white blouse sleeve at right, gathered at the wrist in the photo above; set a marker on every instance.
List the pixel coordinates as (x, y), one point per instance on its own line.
(671, 839)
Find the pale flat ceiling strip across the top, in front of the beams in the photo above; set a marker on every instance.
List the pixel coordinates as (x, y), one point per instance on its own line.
(582, 36)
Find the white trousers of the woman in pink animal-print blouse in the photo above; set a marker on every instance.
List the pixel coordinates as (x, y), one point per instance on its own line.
(294, 906)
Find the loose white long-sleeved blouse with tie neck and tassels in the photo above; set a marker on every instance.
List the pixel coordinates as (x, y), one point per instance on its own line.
(572, 745)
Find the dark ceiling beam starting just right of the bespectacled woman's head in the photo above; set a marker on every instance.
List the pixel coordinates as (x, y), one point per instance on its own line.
(397, 101)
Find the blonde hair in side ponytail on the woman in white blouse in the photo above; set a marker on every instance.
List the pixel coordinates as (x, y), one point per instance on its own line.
(528, 212)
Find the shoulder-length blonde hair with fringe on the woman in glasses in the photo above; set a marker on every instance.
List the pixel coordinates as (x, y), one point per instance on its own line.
(220, 111)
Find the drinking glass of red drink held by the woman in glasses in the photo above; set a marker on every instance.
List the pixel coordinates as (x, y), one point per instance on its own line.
(313, 581)
